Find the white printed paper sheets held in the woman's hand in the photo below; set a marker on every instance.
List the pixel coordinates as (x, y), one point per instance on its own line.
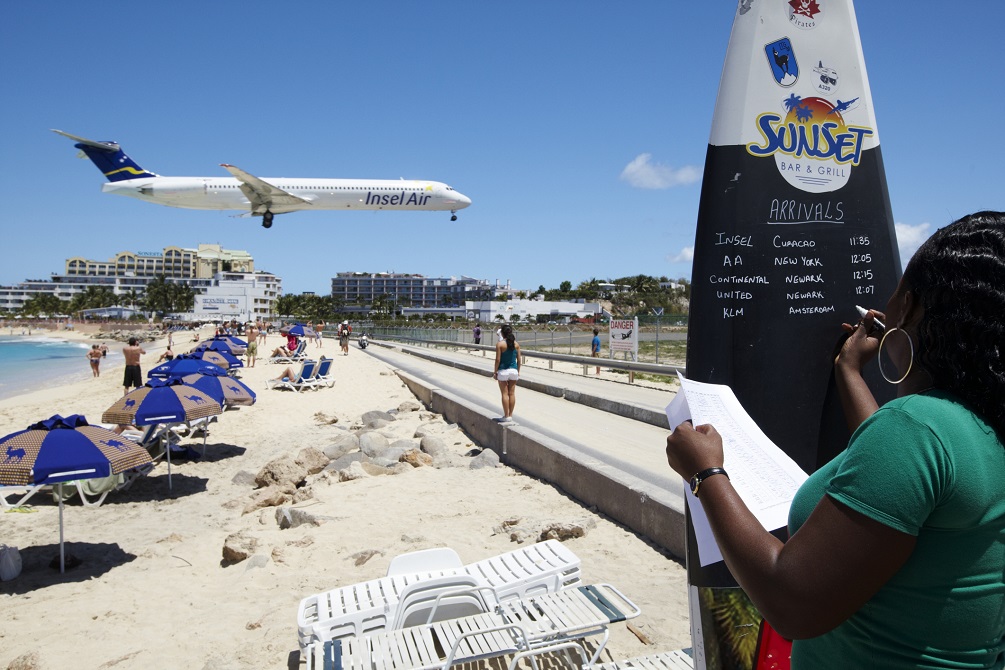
(764, 476)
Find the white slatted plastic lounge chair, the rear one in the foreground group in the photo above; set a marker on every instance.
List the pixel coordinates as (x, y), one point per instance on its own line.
(357, 609)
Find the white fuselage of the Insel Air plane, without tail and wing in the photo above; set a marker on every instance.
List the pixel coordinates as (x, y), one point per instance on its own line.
(225, 193)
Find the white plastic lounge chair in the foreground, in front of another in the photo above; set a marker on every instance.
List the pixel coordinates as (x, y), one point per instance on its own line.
(539, 621)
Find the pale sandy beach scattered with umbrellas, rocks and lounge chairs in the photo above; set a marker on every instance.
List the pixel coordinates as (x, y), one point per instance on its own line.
(153, 589)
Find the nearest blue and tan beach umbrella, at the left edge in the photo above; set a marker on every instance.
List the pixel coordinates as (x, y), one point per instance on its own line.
(61, 450)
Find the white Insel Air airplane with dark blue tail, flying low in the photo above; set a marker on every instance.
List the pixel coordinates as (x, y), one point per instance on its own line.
(264, 197)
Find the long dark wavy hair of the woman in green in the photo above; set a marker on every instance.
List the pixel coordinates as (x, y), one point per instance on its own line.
(959, 277)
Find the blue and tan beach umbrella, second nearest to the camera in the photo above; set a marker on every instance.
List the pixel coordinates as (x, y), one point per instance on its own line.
(162, 401)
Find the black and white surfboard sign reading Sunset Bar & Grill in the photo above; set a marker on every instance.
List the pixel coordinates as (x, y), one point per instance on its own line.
(794, 230)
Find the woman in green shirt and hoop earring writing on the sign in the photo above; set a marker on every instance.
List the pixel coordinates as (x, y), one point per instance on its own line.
(897, 549)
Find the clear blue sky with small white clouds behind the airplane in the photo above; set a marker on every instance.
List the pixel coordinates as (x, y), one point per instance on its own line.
(578, 129)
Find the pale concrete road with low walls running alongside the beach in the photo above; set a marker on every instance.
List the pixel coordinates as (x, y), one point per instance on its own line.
(601, 441)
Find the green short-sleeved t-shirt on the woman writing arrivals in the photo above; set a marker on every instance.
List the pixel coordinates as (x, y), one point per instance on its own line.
(928, 467)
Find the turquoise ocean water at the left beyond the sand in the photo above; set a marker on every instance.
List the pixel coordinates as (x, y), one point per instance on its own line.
(29, 363)
